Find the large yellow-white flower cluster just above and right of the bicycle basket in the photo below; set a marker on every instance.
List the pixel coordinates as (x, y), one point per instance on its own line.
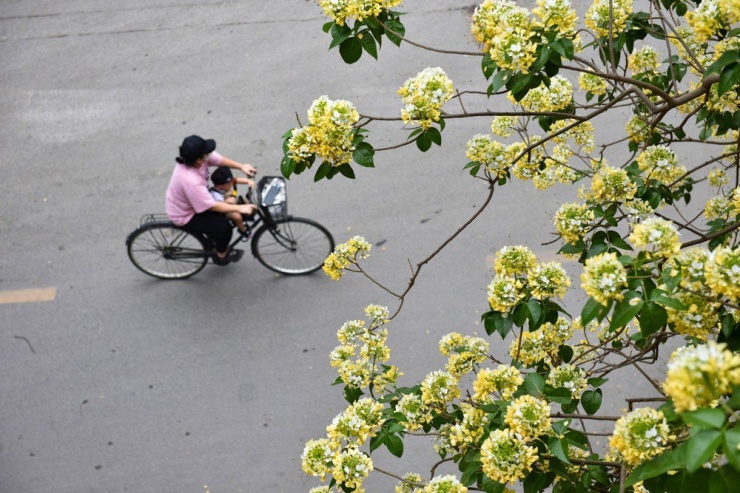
(328, 134)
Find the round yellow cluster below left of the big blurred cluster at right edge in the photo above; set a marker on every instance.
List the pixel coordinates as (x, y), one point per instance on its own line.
(640, 435)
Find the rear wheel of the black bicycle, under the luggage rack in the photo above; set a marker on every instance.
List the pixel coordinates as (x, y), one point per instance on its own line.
(165, 251)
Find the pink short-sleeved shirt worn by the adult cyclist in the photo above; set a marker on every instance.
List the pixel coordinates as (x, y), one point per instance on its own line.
(187, 193)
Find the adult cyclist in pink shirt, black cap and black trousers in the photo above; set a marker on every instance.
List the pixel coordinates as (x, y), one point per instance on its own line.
(190, 204)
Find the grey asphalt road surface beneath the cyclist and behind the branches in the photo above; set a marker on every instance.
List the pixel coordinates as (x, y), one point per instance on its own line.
(112, 381)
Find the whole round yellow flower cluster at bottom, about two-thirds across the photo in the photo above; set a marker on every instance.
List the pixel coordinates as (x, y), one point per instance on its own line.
(506, 457)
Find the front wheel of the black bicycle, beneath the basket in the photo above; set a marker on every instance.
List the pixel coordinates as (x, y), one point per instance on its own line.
(292, 246)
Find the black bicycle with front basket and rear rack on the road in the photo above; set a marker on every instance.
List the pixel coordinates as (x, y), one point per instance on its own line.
(281, 242)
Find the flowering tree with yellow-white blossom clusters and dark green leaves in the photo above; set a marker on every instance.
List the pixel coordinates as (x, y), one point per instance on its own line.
(676, 66)
